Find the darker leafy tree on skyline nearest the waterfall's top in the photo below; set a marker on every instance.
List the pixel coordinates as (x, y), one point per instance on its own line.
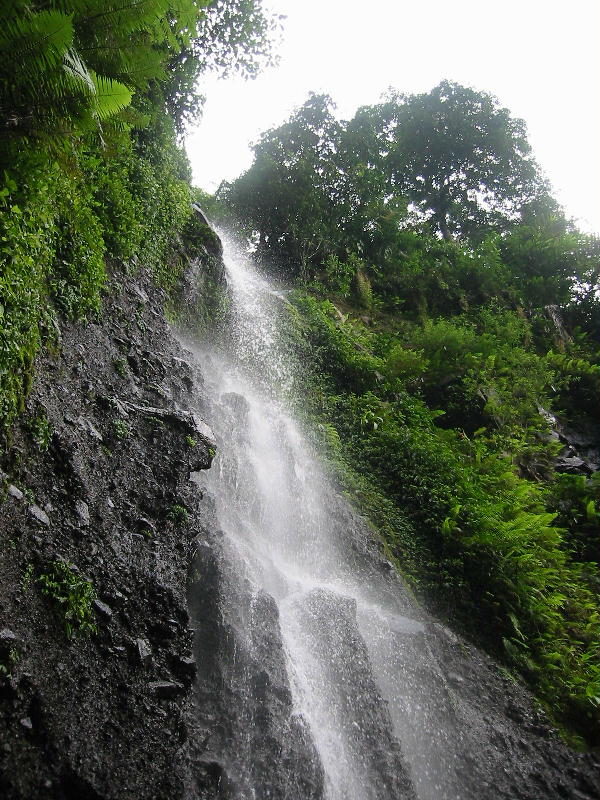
(314, 190)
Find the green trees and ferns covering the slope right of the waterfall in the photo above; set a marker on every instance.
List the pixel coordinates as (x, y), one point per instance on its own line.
(449, 311)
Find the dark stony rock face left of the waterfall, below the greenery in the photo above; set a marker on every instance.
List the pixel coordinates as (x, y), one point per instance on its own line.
(98, 477)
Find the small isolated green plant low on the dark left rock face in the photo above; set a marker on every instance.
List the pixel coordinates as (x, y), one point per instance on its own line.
(72, 597)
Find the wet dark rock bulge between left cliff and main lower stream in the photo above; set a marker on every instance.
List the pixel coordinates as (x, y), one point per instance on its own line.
(242, 691)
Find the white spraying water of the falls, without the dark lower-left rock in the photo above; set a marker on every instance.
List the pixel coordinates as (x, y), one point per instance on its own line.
(363, 678)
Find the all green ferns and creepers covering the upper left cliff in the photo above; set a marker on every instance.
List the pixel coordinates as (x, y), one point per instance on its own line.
(93, 175)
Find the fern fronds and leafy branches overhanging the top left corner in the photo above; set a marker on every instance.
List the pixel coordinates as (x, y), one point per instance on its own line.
(70, 65)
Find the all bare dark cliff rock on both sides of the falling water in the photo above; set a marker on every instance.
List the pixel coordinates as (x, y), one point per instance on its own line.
(133, 656)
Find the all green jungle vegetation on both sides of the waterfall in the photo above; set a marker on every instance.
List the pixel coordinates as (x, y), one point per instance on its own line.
(446, 305)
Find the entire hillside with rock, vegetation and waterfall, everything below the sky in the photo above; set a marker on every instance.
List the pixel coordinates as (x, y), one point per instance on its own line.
(378, 576)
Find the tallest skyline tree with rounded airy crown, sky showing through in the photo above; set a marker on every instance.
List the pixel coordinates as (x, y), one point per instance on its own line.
(462, 160)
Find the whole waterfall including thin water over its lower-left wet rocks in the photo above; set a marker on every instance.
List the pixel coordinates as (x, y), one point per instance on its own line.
(331, 682)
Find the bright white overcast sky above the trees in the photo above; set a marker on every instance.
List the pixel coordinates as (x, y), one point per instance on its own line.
(539, 57)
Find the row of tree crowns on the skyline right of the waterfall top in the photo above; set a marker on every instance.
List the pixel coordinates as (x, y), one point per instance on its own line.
(449, 164)
